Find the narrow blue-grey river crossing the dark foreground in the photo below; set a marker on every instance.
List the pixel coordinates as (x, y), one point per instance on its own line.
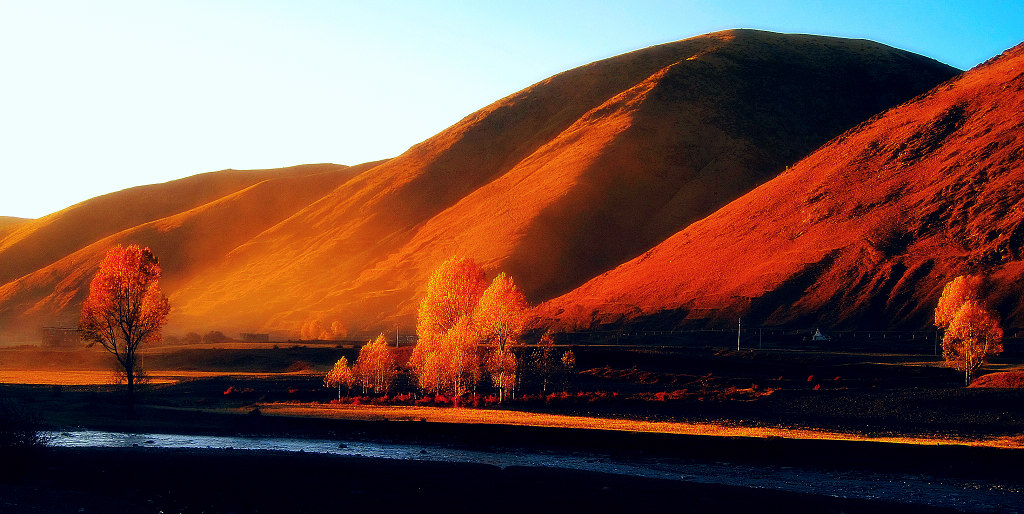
(912, 489)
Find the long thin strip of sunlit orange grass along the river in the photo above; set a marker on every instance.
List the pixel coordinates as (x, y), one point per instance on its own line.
(498, 417)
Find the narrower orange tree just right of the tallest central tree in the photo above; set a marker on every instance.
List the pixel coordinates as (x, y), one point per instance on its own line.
(500, 319)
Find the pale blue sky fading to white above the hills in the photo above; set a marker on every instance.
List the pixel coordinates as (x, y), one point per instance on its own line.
(101, 96)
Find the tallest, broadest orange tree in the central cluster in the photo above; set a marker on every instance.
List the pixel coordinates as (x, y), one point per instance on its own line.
(453, 293)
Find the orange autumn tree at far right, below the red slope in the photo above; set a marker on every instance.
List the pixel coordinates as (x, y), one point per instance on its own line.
(972, 332)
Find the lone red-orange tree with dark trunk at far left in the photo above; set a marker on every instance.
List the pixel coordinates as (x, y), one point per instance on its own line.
(125, 308)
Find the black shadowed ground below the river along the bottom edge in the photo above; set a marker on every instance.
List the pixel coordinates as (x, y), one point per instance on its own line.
(151, 481)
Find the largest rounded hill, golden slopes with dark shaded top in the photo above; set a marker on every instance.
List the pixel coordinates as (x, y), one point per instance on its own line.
(556, 184)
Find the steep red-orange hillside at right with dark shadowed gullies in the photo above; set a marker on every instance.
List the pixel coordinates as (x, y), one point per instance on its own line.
(863, 233)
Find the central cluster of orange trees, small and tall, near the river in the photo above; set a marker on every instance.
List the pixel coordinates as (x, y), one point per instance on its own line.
(467, 330)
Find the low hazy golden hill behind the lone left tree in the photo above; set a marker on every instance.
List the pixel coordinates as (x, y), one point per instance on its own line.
(49, 263)
